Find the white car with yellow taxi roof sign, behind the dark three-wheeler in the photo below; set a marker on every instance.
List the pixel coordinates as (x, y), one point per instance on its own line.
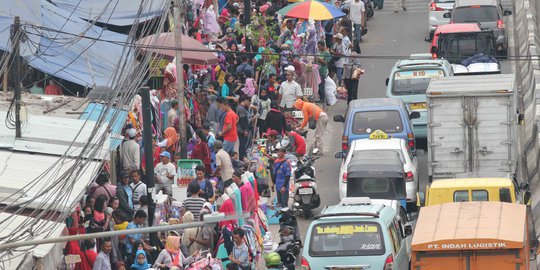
(410, 163)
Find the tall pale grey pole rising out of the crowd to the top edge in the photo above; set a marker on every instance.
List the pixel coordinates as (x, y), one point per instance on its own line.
(178, 22)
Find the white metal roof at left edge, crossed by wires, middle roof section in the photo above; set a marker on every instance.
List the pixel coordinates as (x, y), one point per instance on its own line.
(19, 171)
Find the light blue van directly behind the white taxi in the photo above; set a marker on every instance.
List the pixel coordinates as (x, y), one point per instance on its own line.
(364, 116)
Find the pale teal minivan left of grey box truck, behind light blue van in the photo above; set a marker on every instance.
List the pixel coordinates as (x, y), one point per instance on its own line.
(409, 80)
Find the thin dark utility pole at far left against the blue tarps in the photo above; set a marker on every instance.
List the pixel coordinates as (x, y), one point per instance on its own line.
(15, 40)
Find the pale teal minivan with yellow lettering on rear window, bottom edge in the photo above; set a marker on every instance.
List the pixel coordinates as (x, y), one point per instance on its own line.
(357, 234)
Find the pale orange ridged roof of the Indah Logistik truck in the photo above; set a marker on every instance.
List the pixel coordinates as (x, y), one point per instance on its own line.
(470, 222)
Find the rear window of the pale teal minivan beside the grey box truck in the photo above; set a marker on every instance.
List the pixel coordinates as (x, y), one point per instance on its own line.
(412, 82)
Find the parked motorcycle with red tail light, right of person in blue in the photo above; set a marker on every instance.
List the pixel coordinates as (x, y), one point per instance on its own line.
(305, 186)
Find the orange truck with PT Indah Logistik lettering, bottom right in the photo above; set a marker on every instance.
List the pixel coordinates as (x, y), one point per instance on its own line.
(472, 236)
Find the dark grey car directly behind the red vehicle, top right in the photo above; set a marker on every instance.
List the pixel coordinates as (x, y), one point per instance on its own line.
(488, 13)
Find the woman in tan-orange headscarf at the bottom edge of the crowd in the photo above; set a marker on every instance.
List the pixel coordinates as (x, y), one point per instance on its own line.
(171, 256)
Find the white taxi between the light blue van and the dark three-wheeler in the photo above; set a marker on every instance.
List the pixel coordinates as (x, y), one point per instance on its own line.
(374, 150)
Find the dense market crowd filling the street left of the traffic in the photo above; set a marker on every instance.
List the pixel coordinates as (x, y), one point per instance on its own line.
(236, 111)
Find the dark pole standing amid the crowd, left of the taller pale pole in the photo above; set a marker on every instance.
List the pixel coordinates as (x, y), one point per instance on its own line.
(148, 156)
